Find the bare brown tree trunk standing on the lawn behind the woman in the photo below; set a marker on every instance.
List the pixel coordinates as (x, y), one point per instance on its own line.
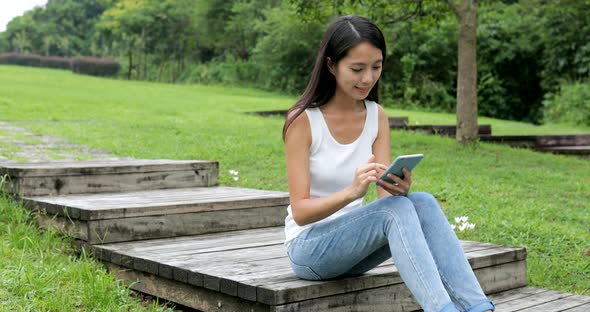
(467, 129)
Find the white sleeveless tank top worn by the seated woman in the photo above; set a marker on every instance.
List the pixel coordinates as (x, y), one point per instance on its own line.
(332, 165)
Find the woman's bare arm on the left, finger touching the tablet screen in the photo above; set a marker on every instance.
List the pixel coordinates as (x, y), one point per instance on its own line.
(305, 209)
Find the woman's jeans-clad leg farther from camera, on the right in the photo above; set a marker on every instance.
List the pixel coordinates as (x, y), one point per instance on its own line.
(455, 271)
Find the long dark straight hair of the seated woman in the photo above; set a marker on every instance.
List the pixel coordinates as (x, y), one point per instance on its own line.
(343, 34)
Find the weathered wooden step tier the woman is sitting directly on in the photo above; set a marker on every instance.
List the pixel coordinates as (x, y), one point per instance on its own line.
(249, 271)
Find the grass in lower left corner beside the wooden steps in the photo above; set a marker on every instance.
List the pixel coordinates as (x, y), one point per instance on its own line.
(41, 272)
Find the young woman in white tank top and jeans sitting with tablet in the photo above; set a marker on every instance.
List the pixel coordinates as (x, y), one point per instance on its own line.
(337, 144)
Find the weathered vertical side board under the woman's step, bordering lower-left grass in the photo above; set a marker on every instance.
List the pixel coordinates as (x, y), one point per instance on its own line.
(185, 294)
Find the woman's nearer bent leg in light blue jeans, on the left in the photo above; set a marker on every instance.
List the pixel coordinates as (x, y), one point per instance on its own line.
(331, 249)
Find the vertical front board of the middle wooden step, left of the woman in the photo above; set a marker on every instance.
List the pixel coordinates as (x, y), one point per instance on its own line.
(141, 228)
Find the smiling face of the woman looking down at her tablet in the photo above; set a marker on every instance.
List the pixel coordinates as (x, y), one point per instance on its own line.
(358, 71)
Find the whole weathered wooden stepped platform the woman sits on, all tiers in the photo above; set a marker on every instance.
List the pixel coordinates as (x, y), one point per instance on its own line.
(221, 248)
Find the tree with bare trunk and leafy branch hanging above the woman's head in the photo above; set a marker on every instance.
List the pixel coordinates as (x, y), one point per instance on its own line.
(389, 13)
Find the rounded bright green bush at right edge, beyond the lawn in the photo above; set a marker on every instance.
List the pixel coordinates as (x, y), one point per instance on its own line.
(570, 105)
